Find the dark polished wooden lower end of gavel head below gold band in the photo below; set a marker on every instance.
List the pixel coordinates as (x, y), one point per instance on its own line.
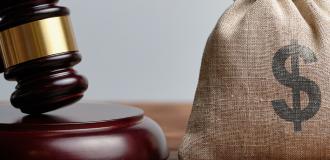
(46, 84)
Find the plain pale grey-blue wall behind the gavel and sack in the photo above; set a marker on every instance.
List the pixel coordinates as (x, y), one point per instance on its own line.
(145, 50)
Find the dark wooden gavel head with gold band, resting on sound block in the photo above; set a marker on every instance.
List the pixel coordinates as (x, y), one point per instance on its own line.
(38, 51)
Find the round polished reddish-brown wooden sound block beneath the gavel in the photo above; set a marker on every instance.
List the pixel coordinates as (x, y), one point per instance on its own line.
(81, 132)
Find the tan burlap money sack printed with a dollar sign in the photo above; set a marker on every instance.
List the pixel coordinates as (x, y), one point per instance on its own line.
(264, 87)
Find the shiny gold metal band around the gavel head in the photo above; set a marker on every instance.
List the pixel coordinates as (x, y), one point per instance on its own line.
(37, 39)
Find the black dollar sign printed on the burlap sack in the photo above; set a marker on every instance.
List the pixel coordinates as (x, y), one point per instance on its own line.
(298, 83)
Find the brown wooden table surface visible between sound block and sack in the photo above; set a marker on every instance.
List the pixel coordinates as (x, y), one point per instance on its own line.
(172, 117)
